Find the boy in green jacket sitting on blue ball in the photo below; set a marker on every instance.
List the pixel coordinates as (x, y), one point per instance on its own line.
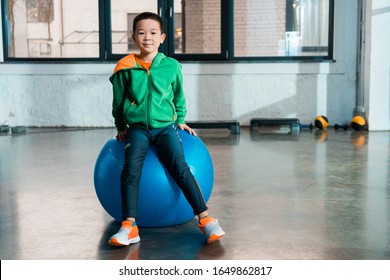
(148, 108)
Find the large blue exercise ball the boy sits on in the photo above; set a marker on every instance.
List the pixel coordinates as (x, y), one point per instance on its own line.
(160, 200)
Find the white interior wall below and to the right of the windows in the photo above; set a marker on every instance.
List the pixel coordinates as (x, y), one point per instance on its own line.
(80, 94)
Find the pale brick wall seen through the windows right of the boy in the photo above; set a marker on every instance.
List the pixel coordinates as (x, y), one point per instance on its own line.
(259, 26)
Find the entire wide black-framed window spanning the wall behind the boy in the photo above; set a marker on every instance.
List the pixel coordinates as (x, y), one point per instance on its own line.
(212, 30)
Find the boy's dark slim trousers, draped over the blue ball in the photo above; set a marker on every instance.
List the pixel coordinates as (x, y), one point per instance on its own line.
(170, 152)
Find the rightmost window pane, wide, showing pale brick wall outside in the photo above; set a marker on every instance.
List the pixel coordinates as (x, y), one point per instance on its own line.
(281, 28)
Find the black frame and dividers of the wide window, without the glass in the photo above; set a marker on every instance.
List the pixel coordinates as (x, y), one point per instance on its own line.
(164, 7)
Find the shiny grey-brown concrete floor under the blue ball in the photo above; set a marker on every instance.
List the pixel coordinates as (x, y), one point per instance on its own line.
(278, 195)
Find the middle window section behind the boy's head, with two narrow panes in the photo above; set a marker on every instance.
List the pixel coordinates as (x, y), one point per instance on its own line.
(193, 27)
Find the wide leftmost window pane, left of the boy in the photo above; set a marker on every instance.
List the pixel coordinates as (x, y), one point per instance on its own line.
(52, 29)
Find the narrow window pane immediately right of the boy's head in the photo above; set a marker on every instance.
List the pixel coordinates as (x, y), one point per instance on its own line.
(197, 26)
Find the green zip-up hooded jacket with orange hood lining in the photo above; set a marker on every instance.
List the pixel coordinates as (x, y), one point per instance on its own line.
(151, 98)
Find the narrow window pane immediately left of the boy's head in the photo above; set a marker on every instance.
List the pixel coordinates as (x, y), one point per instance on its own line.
(123, 13)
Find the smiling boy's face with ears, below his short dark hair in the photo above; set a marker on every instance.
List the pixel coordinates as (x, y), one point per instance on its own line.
(148, 36)
